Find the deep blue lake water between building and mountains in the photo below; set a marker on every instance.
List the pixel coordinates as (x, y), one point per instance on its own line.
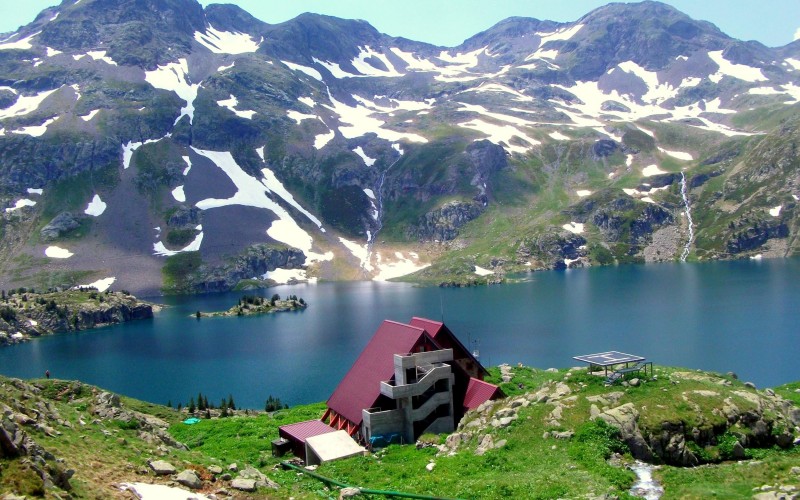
(724, 316)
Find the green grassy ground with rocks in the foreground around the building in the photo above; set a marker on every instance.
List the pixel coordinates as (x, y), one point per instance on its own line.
(106, 452)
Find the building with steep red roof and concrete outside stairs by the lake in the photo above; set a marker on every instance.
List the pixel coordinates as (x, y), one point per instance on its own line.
(410, 379)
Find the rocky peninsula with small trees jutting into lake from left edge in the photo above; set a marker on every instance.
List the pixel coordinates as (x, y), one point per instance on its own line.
(27, 313)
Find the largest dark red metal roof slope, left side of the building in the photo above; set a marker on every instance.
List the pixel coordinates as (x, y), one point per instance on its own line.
(360, 388)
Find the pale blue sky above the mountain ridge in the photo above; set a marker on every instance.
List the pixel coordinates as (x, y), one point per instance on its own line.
(449, 22)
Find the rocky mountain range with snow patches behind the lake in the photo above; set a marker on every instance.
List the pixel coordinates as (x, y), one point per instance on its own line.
(178, 149)
